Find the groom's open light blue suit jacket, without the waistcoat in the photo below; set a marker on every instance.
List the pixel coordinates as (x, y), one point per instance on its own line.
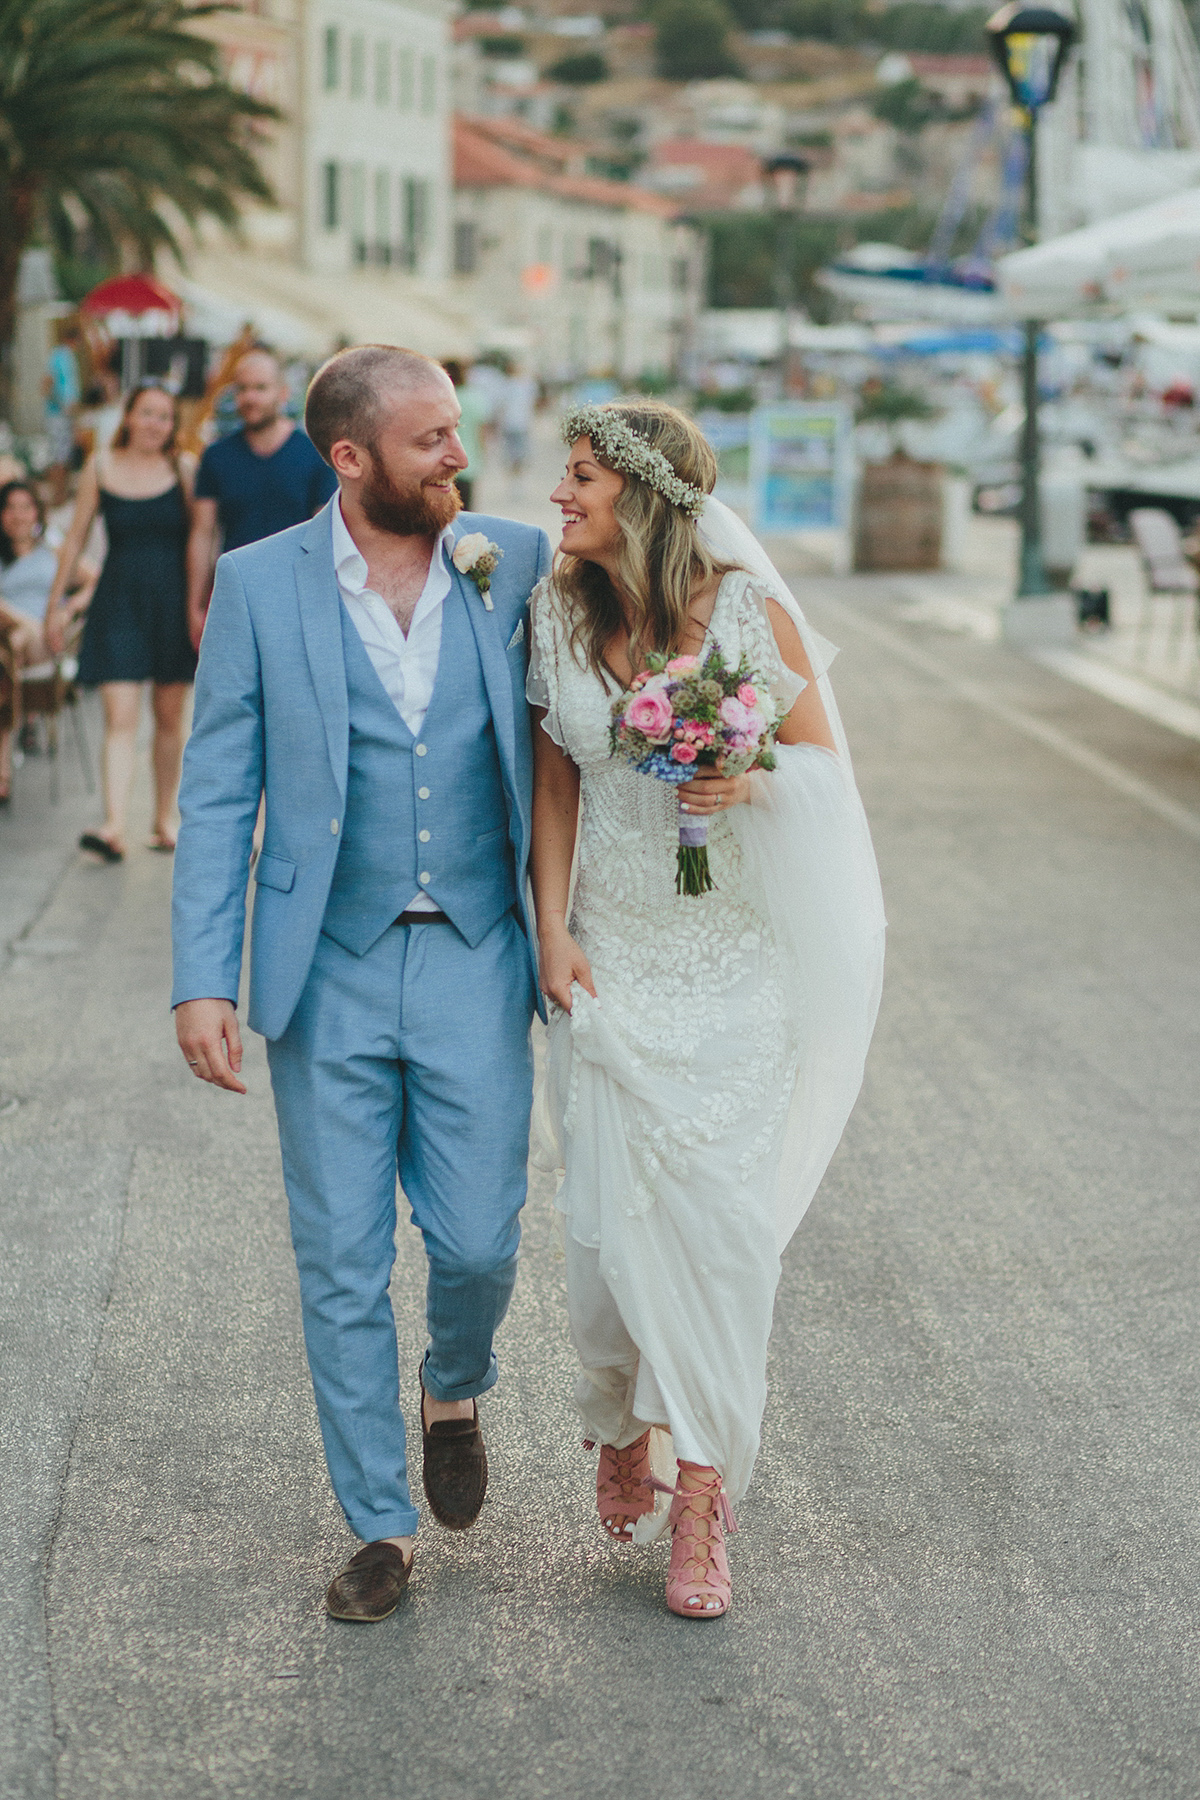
(273, 717)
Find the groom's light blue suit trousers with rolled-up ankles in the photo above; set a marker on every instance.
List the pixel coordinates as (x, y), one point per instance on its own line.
(413, 1057)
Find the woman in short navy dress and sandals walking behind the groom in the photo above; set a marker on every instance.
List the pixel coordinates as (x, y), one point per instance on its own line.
(138, 620)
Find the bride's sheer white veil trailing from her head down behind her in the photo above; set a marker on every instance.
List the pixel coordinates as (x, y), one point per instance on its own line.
(810, 865)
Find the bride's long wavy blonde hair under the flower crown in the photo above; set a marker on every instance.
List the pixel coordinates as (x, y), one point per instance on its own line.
(661, 561)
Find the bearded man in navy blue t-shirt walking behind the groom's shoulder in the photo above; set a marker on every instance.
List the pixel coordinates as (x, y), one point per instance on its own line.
(253, 483)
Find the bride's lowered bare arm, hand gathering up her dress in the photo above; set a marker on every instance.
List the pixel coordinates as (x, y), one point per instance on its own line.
(555, 823)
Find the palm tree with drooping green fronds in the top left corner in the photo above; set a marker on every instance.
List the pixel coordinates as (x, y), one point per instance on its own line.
(116, 116)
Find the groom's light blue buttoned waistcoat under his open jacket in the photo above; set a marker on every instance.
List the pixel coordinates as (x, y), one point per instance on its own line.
(422, 814)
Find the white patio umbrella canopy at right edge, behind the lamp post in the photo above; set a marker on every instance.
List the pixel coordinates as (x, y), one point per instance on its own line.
(1143, 258)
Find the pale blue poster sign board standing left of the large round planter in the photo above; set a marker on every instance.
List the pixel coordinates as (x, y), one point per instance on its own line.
(801, 467)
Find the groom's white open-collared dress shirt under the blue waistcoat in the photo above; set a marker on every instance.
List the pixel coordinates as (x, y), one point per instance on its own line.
(407, 667)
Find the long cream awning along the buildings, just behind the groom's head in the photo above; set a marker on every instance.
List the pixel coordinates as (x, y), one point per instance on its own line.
(307, 314)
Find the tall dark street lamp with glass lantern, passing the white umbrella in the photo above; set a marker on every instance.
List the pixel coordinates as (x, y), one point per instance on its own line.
(1032, 46)
